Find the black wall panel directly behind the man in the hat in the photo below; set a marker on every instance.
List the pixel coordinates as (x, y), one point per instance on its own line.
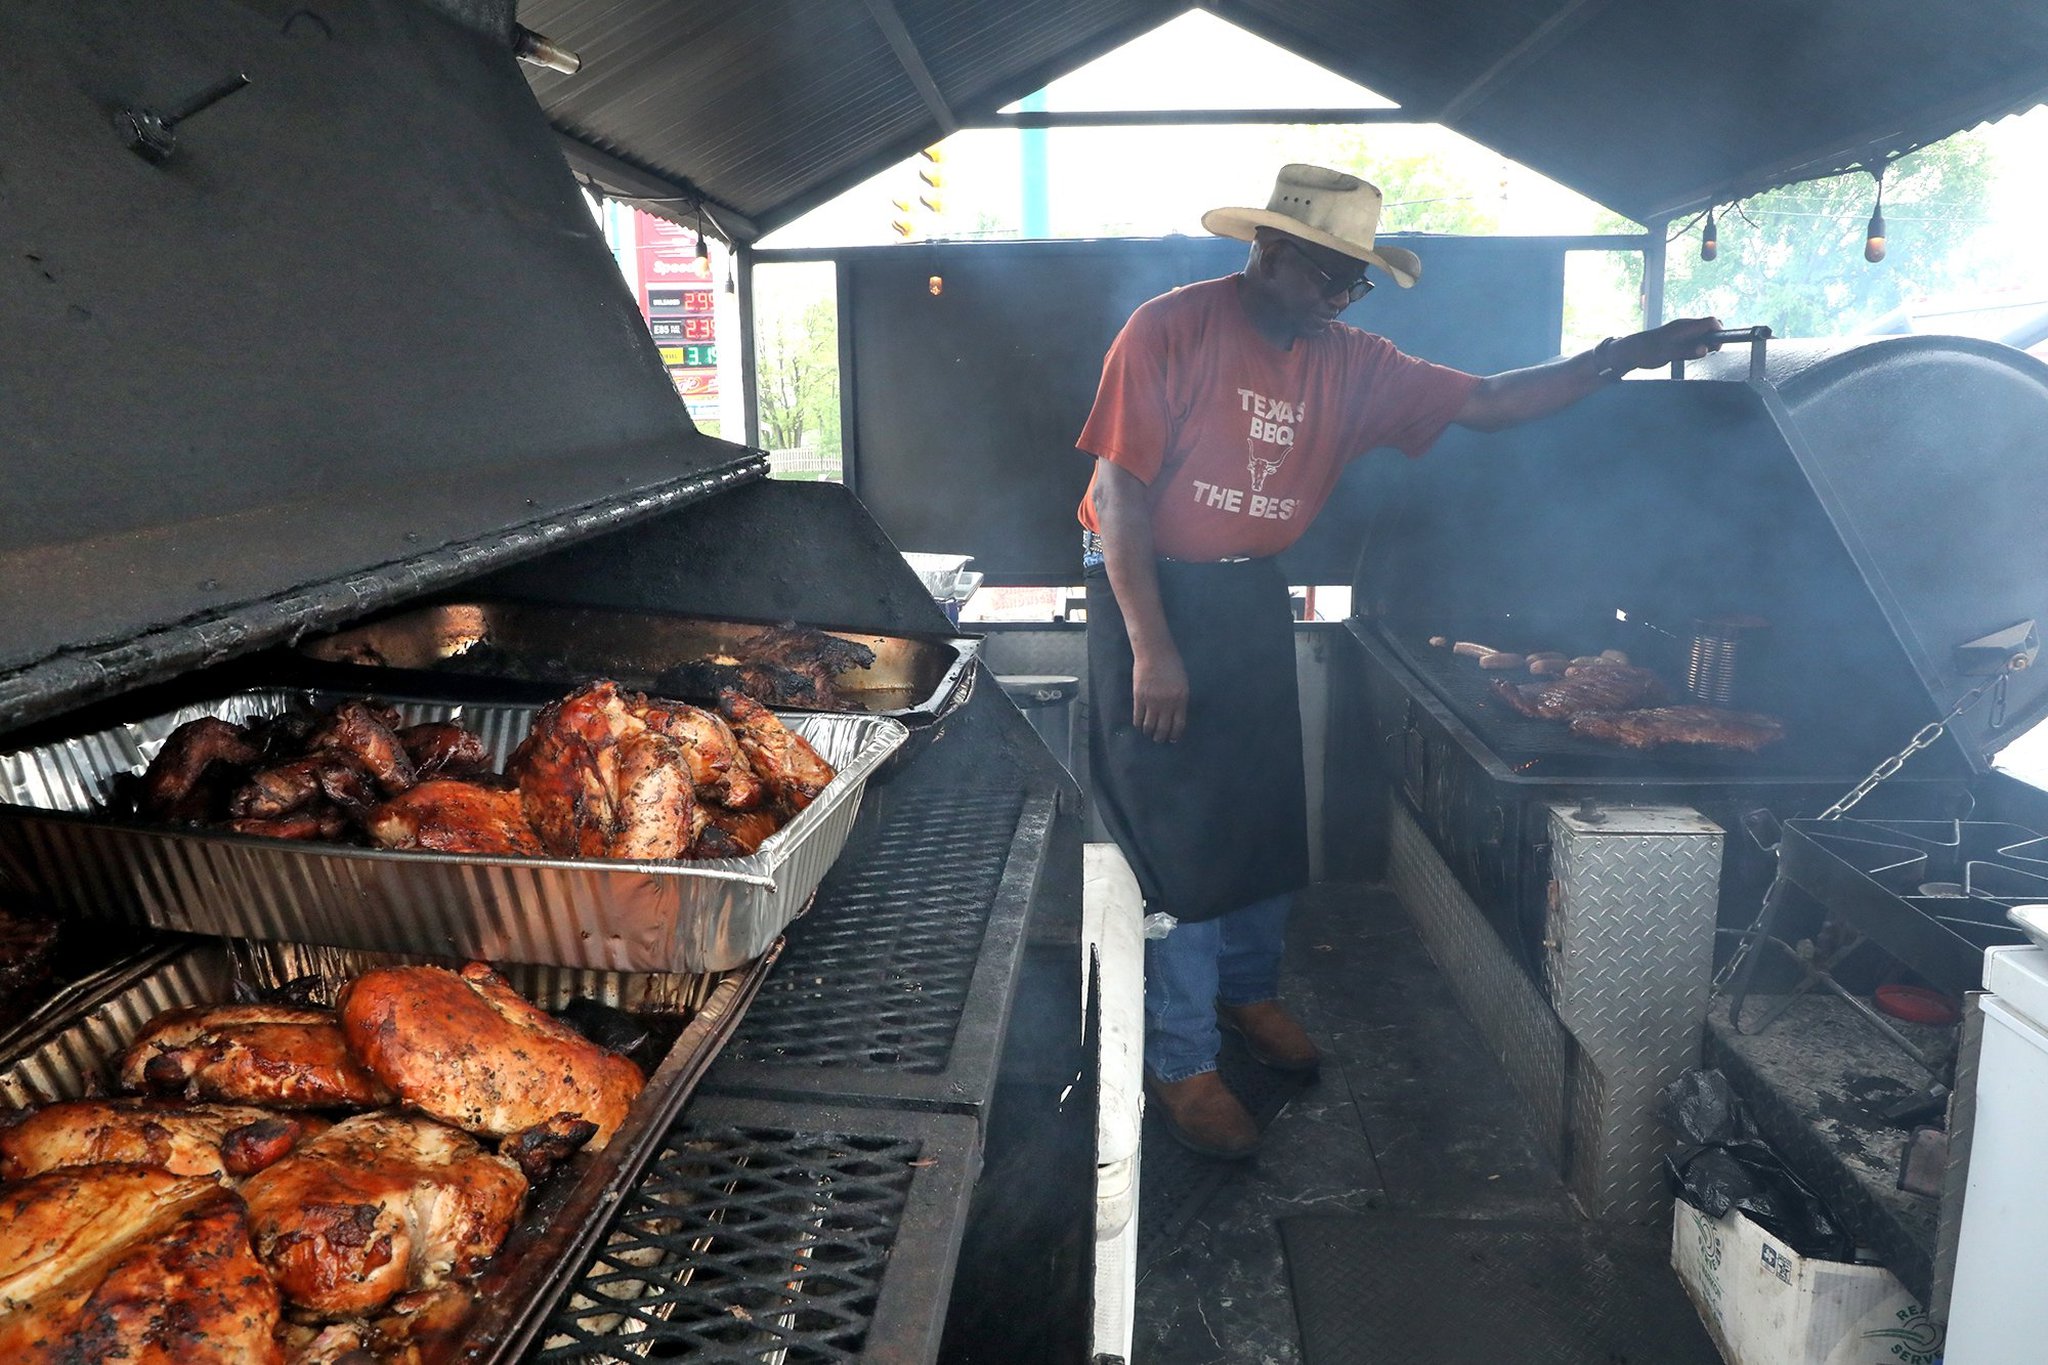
(966, 402)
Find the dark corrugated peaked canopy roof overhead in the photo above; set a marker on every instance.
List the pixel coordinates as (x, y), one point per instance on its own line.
(1652, 107)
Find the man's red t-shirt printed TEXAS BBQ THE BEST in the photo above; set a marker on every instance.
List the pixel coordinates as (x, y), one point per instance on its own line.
(1242, 441)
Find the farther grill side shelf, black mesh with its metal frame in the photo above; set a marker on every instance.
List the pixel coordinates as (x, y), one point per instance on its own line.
(896, 985)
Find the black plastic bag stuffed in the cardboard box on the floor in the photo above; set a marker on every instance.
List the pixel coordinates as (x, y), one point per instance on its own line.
(1734, 1170)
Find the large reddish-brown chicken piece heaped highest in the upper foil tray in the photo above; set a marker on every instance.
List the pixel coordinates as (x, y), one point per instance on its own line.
(597, 783)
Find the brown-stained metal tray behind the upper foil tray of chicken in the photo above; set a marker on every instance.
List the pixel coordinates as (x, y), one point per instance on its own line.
(914, 678)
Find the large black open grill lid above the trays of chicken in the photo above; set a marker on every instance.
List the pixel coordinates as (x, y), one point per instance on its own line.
(357, 337)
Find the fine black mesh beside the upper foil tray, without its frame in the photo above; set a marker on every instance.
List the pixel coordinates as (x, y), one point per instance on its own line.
(878, 975)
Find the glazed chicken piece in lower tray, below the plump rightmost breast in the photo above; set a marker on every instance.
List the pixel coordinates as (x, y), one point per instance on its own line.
(378, 1206)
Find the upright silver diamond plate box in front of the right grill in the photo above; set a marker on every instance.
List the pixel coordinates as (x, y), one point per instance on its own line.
(1629, 963)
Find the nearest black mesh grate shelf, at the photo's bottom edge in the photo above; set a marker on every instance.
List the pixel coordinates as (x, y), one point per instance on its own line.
(771, 1233)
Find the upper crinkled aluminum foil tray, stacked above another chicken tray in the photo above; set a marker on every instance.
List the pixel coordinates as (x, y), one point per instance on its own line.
(706, 916)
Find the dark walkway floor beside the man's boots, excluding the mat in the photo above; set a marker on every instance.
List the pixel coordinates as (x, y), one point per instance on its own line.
(1410, 1114)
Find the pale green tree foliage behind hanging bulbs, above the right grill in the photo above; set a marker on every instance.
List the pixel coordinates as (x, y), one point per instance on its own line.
(1793, 259)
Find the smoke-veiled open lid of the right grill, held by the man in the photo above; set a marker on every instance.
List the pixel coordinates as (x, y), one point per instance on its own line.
(1879, 502)
